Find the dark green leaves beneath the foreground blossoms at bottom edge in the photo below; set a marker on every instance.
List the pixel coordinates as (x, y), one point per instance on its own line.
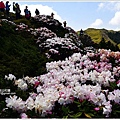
(77, 109)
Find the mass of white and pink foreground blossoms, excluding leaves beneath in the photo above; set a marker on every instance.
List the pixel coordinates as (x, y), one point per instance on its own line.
(68, 79)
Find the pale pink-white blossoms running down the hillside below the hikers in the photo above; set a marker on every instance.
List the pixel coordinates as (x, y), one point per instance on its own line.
(49, 41)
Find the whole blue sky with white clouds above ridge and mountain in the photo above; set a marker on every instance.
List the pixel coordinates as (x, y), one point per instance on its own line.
(78, 14)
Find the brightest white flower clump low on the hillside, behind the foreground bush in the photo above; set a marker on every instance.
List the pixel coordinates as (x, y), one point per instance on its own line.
(57, 45)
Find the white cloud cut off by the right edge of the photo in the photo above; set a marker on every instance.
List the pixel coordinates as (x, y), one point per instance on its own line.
(116, 19)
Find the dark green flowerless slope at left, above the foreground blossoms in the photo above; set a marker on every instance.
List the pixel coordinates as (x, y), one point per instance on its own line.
(19, 53)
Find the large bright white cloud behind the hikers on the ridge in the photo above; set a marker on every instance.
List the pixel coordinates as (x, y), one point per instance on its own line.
(46, 10)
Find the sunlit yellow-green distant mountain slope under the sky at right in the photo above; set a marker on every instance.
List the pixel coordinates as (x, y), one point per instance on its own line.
(108, 35)
